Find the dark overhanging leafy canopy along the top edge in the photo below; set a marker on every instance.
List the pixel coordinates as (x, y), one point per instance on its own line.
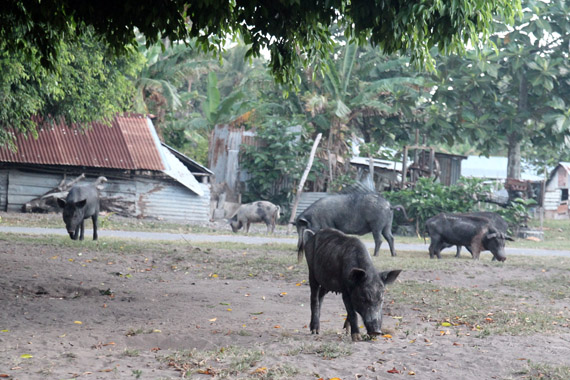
(291, 30)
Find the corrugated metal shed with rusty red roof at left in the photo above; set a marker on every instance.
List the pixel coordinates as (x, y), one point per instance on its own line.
(152, 179)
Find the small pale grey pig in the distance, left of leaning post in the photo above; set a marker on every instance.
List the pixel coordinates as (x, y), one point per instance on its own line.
(256, 212)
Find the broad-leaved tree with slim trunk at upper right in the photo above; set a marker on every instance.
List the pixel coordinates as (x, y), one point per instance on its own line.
(516, 98)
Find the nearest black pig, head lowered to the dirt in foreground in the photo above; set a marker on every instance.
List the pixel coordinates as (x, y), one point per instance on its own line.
(341, 264)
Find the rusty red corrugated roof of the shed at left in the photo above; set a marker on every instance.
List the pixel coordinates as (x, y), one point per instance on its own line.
(130, 143)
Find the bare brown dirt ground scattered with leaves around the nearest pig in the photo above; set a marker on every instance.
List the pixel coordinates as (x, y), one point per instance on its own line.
(71, 312)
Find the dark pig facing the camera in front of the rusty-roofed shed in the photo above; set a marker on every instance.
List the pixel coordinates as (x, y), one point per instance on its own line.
(82, 202)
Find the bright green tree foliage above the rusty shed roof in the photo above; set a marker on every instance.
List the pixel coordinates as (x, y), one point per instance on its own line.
(84, 85)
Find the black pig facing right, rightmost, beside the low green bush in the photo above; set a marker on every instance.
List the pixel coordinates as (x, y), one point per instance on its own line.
(477, 233)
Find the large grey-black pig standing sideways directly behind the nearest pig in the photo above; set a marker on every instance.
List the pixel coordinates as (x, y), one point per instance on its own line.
(355, 213)
